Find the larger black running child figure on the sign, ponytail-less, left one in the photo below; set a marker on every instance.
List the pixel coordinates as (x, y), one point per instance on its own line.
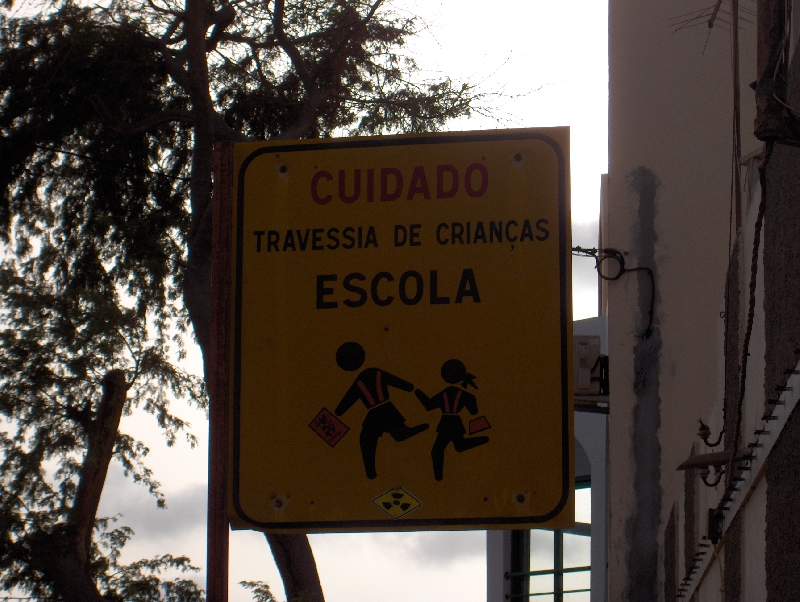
(372, 388)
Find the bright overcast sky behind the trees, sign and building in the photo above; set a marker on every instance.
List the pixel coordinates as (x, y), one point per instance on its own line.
(549, 61)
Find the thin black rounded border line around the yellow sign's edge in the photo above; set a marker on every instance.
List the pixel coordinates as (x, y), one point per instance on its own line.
(564, 253)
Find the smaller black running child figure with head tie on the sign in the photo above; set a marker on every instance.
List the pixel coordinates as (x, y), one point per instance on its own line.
(451, 401)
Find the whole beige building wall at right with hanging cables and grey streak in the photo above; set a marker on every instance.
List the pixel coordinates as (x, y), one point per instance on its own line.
(668, 206)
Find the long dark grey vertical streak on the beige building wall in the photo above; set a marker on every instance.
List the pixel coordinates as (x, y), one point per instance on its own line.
(642, 526)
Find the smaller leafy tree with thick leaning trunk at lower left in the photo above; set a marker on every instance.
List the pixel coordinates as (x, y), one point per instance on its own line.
(62, 395)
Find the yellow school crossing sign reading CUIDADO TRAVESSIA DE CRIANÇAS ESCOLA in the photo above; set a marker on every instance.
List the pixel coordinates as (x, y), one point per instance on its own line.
(402, 323)
